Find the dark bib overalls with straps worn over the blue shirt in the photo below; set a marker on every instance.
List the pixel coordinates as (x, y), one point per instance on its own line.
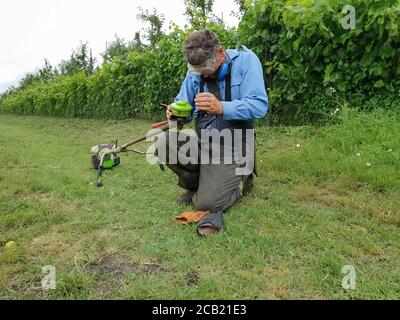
(217, 186)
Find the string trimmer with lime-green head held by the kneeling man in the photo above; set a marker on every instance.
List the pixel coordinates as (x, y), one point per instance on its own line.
(106, 156)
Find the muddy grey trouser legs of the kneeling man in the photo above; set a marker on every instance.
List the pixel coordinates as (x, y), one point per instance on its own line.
(217, 186)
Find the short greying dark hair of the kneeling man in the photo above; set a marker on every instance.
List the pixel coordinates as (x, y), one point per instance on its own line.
(200, 46)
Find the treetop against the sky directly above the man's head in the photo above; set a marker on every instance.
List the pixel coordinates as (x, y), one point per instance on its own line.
(199, 12)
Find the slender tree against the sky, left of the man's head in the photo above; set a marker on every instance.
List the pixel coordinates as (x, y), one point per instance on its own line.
(155, 21)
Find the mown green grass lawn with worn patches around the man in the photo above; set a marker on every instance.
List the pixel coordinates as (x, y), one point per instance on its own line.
(326, 198)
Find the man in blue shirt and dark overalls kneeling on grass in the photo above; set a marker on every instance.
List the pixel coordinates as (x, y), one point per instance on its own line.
(227, 92)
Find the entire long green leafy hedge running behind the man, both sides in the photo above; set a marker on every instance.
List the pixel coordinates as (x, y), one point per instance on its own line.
(310, 62)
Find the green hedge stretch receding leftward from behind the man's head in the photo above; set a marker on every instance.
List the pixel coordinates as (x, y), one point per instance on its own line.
(126, 87)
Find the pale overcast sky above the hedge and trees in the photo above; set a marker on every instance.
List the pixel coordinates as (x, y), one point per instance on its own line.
(31, 30)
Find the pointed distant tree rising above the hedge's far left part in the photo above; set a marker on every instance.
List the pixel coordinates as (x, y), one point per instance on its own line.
(81, 59)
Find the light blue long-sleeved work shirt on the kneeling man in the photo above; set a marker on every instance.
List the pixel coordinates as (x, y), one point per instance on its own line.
(249, 97)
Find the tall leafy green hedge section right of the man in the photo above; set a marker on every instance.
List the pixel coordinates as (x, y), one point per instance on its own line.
(309, 58)
